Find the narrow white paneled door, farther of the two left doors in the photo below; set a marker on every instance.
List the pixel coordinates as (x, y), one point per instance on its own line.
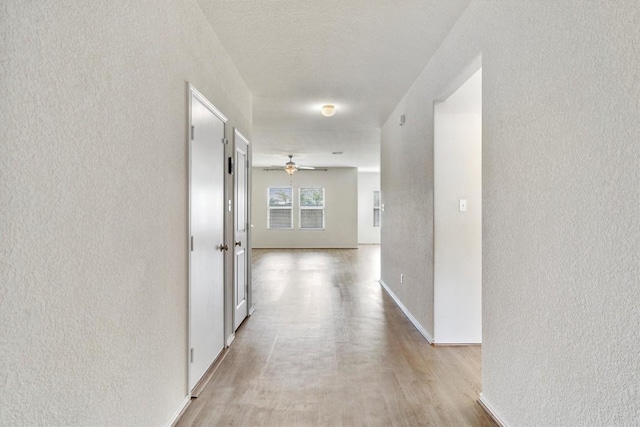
(240, 227)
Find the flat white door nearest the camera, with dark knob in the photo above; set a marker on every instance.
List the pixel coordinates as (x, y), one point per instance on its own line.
(206, 221)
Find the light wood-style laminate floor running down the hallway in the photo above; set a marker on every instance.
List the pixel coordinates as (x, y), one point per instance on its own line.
(326, 346)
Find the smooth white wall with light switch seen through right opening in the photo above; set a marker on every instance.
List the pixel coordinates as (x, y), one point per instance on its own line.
(458, 235)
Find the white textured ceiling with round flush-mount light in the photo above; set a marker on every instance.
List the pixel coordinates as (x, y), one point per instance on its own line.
(361, 55)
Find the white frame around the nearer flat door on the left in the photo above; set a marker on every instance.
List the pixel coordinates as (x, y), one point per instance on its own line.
(193, 92)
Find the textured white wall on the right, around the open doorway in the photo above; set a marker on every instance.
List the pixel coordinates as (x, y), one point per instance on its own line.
(561, 197)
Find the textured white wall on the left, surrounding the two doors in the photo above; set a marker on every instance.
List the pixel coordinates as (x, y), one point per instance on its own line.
(93, 187)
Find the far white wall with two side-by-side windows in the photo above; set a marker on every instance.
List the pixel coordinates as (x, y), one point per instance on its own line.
(341, 209)
